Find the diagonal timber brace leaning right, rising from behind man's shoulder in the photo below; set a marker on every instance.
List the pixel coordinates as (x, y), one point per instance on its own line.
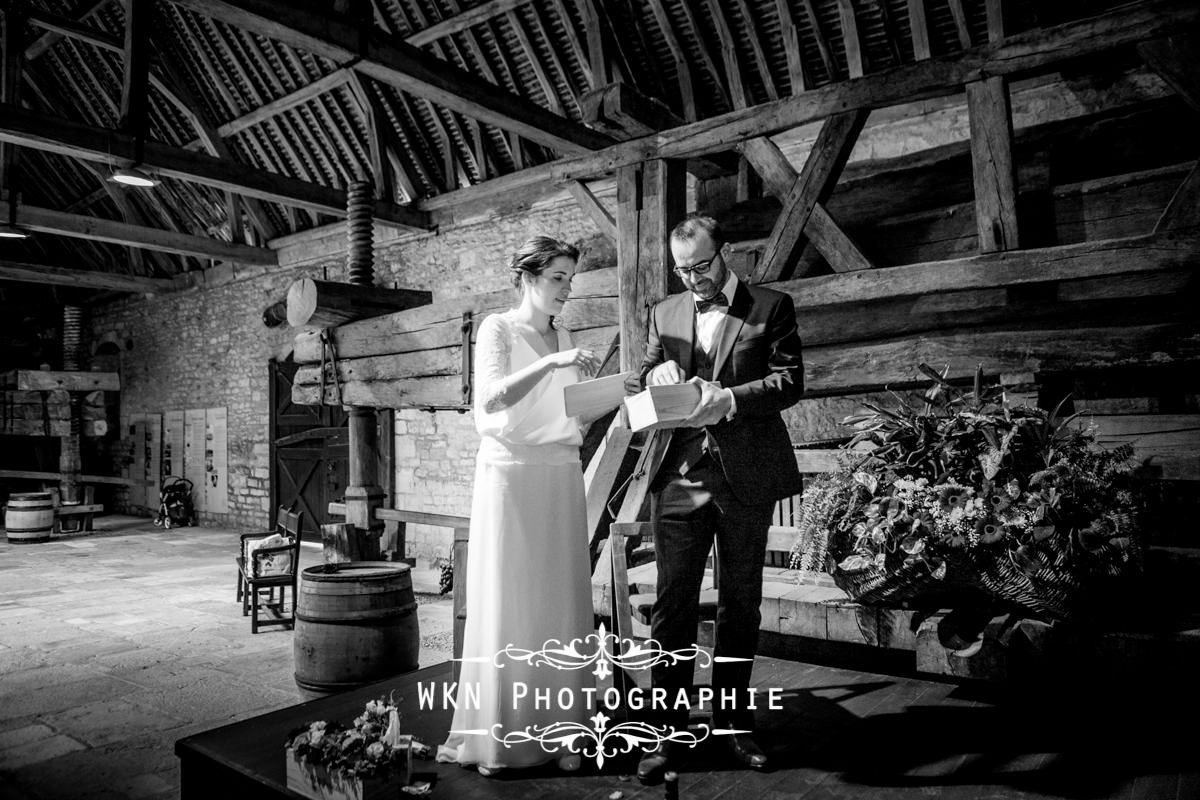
(817, 183)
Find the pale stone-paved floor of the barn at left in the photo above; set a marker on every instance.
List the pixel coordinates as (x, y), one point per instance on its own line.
(118, 643)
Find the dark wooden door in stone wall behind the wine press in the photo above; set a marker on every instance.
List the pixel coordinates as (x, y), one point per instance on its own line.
(310, 454)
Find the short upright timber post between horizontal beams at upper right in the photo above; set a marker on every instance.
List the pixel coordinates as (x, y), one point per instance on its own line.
(992, 158)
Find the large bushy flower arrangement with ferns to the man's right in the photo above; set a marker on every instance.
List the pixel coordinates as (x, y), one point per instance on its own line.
(959, 490)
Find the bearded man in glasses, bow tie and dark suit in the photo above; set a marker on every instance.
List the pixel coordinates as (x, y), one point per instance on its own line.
(723, 472)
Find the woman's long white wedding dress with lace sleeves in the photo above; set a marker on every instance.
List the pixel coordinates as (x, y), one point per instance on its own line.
(529, 581)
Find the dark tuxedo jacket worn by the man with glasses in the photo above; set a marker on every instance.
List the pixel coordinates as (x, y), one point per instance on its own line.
(758, 356)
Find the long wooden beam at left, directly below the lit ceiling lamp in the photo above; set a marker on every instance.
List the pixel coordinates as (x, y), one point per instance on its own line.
(121, 233)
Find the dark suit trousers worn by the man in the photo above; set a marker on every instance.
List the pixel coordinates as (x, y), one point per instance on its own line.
(693, 510)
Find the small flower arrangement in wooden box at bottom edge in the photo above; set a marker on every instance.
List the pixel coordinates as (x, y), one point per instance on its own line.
(334, 755)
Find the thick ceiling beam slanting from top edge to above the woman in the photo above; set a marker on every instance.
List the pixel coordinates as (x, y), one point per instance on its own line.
(400, 65)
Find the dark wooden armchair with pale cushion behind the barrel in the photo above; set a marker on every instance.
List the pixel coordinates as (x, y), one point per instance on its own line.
(269, 568)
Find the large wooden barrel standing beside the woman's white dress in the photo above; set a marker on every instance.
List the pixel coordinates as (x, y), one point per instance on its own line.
(355, 627)
